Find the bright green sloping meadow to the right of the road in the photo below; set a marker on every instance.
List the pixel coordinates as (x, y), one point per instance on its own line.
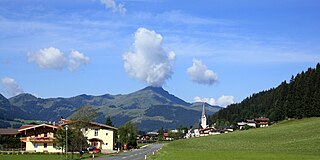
(294, 140)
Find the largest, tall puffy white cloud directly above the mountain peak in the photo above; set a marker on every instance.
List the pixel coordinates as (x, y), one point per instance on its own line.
(149, 62)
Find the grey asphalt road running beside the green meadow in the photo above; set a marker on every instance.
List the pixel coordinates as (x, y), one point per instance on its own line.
(137, 154)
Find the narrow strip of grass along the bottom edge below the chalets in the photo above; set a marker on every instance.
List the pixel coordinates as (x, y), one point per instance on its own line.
(36, 156)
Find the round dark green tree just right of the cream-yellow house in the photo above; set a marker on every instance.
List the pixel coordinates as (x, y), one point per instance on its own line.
(128, 134)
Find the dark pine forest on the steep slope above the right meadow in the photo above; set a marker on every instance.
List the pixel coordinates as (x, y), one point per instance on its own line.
(295, 99)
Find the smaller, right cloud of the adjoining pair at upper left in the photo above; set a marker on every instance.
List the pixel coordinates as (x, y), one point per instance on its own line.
(76, 59)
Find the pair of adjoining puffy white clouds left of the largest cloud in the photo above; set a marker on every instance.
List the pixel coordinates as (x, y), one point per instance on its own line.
(53, 58)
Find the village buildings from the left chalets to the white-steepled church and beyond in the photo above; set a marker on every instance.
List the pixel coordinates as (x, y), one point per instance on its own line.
(36, 137)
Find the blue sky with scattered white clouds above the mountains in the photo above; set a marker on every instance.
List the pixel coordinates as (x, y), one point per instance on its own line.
(217, 51)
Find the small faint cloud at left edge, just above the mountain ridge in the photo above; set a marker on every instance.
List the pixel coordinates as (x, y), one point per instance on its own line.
(11, 86)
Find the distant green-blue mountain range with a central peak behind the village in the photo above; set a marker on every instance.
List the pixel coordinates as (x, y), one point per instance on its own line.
(151, 108)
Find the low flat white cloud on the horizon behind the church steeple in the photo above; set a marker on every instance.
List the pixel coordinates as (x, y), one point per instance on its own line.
(222, 101)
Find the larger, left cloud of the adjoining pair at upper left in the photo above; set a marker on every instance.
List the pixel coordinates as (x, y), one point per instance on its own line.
(50, 58)
